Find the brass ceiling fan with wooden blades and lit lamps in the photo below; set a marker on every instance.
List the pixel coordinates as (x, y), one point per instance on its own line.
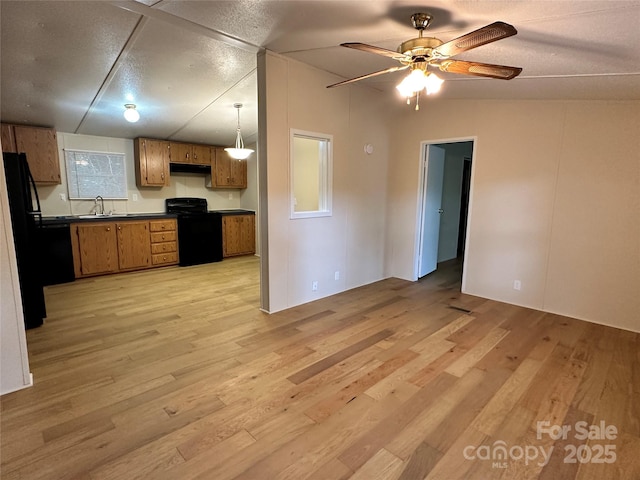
(419, 53)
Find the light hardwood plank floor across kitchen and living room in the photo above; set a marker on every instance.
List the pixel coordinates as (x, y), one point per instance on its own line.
(176, 374)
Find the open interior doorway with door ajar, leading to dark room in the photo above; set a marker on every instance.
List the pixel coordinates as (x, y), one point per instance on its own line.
(444, 195)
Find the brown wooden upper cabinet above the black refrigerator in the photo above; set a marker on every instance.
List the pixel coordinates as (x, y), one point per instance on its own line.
(40, 144)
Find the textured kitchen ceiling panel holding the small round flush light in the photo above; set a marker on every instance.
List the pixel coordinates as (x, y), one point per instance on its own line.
(171, 75)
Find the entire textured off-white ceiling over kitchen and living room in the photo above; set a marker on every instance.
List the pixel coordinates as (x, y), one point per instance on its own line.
(73, 65)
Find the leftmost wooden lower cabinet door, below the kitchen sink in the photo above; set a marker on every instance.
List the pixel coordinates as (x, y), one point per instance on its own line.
(97, 248)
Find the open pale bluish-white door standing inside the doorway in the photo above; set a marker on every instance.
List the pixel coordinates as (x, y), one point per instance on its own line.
(433, 175)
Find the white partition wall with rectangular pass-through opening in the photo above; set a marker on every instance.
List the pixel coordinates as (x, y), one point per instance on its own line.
(351, 241)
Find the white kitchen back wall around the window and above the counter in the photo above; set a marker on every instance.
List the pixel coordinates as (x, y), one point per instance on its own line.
(150, 199)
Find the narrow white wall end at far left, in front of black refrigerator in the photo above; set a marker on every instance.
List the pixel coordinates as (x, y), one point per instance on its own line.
(14, 360)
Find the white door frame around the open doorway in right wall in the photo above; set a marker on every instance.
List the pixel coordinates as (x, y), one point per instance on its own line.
(420, 199)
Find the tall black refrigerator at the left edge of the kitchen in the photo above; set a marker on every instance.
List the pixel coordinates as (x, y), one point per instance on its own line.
(24, 205)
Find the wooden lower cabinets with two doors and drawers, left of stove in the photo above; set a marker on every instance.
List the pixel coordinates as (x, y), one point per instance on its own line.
(108, 247)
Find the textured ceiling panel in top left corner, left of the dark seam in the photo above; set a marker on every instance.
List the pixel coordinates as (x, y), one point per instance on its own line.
(55, 56)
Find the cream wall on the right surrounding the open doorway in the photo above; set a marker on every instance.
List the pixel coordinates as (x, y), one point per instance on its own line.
(555, 202)
